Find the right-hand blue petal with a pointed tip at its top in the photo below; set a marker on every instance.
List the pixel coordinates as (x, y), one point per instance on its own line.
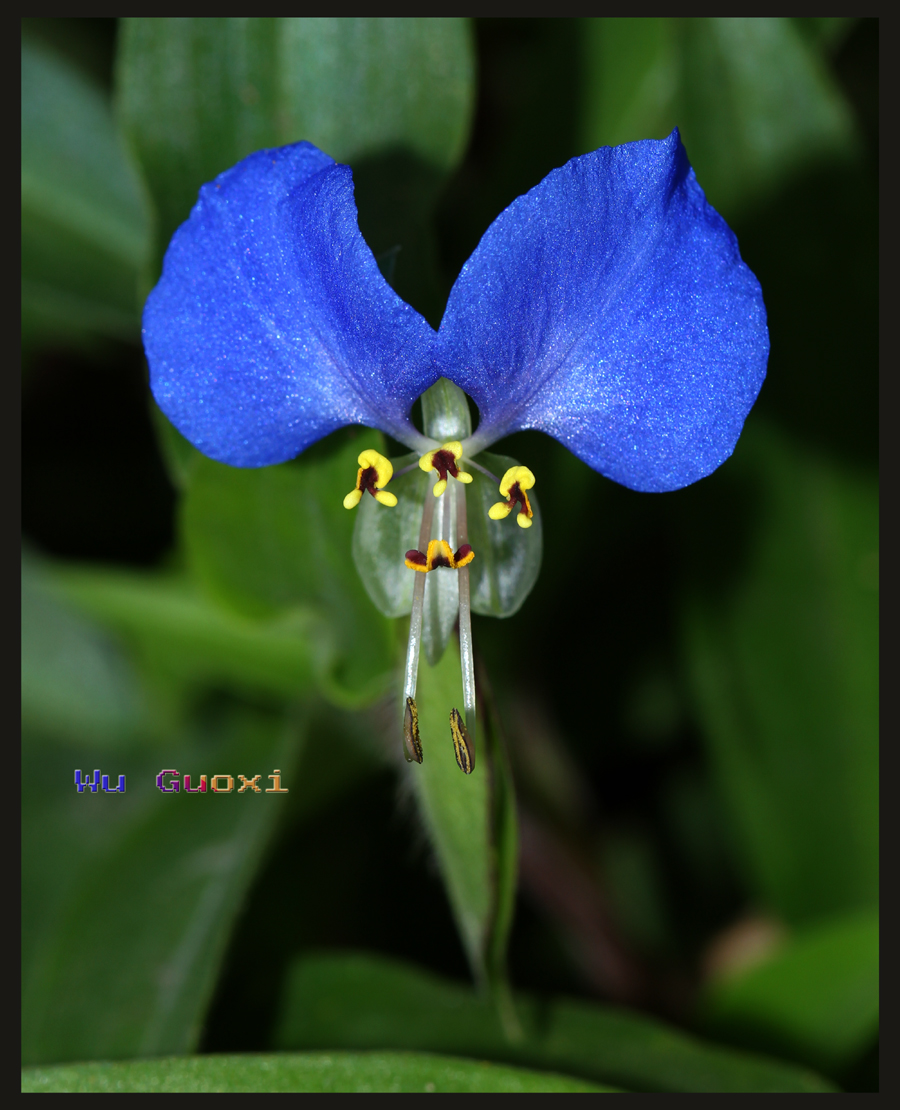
(610, 308)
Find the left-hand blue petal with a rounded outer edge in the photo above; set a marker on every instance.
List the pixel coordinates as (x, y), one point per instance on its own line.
(272, 326)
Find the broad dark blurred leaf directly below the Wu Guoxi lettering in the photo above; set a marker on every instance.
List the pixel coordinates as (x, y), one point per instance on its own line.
(128, 963)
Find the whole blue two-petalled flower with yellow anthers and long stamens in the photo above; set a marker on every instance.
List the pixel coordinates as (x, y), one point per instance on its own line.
(609, 308)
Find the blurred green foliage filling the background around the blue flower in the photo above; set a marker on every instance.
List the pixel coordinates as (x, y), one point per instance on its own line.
(687, 702)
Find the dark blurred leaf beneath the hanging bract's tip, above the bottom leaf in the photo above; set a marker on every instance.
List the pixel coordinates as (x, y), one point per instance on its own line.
(369, 1002)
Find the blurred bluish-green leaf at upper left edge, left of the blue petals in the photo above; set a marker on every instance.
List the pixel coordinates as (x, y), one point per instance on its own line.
(86, 233)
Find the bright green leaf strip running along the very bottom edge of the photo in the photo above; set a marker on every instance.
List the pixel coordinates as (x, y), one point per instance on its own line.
(363, 1073)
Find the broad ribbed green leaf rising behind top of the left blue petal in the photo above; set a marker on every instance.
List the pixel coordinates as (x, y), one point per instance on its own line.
(197, 96)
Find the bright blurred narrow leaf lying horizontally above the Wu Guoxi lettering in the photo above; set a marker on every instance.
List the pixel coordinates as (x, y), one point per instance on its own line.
(177, 633)
